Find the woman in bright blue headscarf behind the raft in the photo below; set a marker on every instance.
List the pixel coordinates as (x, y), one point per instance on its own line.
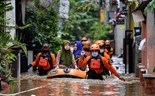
(77, 49)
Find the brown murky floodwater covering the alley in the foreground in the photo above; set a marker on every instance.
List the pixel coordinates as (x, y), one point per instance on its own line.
(74, 87)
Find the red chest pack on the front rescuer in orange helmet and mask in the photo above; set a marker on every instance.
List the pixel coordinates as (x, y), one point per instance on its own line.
(95, 63)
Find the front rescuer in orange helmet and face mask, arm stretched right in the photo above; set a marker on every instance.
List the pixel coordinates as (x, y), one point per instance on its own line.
(95, 64)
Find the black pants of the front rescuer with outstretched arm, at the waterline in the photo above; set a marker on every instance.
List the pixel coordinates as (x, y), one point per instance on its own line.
(93, 75)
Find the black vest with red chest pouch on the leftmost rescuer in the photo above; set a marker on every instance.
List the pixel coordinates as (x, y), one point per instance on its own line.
(45, 61)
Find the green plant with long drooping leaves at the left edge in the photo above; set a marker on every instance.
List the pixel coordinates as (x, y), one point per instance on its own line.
(7, 57)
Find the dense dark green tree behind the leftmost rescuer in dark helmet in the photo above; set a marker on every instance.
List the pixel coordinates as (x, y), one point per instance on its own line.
(44, 27)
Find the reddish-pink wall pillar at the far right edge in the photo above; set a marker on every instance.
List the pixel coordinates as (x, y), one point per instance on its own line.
(148, 57)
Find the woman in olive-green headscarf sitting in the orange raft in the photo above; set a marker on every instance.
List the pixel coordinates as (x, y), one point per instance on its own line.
(65, 58)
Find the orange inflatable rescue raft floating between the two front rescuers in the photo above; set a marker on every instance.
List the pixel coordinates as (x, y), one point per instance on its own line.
(66, 72)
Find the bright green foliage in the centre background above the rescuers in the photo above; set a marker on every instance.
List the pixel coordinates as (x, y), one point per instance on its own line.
(84, 21)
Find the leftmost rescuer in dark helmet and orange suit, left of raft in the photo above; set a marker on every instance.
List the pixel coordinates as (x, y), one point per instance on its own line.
(45, 61)
